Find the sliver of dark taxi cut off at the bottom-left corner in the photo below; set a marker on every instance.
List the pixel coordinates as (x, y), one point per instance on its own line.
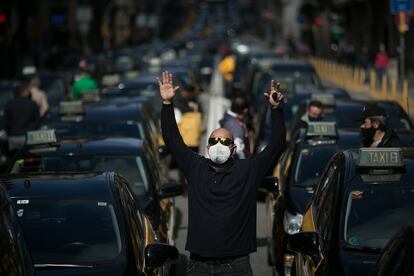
(14, 256)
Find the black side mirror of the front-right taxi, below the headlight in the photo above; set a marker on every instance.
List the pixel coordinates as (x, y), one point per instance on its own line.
(306, 243)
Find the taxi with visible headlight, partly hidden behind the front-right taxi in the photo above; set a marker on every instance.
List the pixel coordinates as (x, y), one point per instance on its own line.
(298, 172)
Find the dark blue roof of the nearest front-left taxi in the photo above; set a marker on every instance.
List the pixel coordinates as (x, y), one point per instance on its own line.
(66, 185)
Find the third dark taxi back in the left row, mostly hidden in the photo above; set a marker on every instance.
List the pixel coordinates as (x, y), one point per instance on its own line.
(76, 119)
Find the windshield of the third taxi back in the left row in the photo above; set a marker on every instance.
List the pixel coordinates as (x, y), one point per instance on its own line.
(107, 129)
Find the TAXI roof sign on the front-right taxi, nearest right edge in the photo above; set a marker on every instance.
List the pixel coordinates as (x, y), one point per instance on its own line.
(380, 158)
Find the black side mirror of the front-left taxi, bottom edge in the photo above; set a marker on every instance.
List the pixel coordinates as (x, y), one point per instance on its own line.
(159, 254)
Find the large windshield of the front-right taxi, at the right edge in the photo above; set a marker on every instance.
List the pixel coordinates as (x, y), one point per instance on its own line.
(376, 212)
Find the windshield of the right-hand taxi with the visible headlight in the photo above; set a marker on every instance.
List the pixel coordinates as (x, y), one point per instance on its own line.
(306, 173)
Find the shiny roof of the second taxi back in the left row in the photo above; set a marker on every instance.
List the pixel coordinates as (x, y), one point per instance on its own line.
(76, 147)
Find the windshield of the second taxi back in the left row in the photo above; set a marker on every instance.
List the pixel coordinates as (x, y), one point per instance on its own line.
(130, 167)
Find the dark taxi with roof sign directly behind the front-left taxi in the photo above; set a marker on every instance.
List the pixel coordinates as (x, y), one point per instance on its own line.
(132, 158)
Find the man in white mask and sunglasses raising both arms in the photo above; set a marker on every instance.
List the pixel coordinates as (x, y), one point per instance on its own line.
(221, 190)
